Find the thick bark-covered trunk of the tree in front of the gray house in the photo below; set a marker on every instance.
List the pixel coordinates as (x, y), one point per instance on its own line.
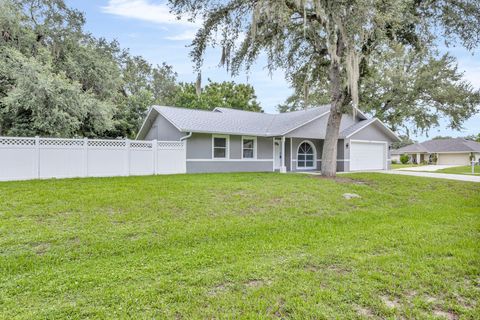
(329, 152)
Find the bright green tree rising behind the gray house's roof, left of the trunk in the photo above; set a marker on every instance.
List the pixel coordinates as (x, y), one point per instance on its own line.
(226, 94)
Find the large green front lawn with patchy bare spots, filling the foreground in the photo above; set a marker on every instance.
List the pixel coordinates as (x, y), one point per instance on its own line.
(247, 245)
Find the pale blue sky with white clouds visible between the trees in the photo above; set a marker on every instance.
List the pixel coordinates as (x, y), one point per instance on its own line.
(148, 29)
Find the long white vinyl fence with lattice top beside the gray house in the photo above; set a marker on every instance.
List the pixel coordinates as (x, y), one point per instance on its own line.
(41, 158)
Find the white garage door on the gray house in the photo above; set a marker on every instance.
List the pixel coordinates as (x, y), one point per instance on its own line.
(365, 155)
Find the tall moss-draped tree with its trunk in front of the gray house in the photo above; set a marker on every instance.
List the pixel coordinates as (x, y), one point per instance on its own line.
(324, 41)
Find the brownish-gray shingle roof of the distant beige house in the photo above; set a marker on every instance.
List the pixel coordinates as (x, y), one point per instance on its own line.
(441, 145)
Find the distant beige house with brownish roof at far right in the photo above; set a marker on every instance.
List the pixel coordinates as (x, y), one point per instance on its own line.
(456, 151)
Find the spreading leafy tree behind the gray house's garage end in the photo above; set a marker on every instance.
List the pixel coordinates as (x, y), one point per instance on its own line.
(408, 91)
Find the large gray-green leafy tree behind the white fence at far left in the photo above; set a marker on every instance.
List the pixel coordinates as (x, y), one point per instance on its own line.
(43, 87)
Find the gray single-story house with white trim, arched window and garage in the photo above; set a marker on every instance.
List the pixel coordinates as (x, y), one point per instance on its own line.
(225, 140)
